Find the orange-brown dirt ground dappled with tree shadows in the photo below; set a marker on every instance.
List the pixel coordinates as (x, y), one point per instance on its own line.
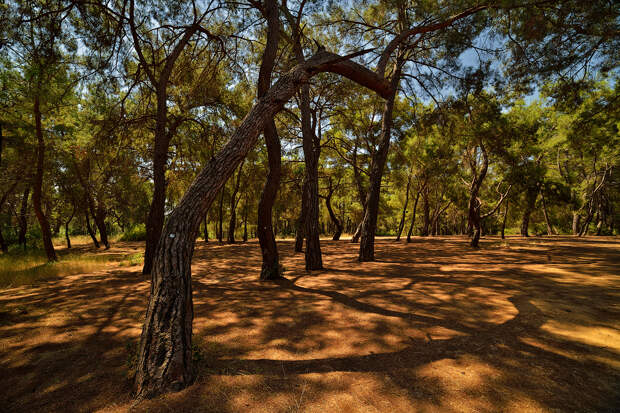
(522, 325)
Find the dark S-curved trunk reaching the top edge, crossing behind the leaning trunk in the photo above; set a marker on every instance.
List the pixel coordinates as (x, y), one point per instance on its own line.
(270, 268)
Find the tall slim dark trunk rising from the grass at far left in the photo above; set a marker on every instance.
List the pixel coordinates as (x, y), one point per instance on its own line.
(38, 186)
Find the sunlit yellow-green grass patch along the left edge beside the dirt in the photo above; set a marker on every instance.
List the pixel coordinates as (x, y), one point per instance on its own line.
(27, 267)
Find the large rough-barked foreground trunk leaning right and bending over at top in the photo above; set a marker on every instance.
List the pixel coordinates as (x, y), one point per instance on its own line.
(165, 354)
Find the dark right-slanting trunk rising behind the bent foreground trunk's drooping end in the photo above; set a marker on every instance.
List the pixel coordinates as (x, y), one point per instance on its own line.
(369, 223)
